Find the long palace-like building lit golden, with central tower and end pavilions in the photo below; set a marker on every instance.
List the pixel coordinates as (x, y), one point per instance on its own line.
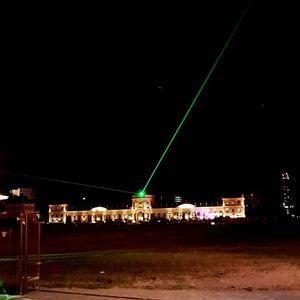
(143, 210)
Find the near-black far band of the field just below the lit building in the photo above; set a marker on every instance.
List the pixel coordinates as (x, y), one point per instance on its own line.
(171, 237)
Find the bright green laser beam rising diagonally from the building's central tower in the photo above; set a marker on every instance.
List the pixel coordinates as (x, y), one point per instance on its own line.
(197, 96)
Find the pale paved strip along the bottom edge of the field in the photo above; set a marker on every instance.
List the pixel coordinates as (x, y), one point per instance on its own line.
(140, 294)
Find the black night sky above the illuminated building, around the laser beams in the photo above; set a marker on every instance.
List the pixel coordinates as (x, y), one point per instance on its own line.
(93, 94)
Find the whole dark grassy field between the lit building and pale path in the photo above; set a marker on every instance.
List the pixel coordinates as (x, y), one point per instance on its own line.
(231, 256)
